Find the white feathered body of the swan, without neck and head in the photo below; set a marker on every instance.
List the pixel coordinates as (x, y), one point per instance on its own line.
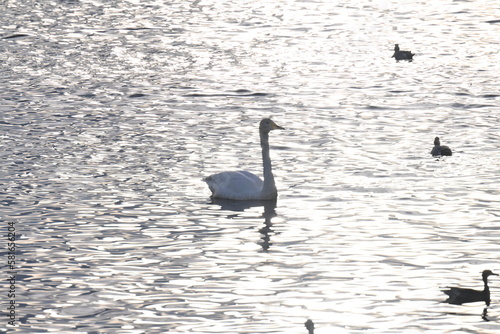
(235, 185)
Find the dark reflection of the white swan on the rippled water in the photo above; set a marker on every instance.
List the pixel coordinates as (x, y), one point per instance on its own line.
(269, 212)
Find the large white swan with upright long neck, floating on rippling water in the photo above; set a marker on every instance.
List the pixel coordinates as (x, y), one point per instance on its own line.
(243, 185)
